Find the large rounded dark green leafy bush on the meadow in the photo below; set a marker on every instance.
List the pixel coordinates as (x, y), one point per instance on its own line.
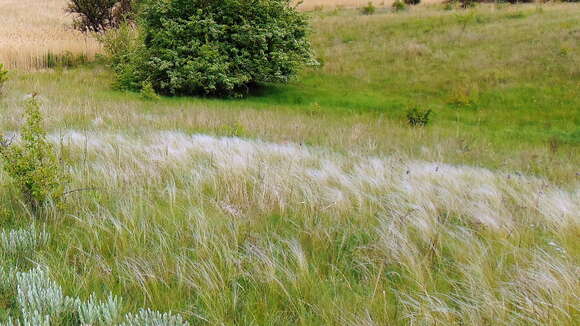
(215, 47)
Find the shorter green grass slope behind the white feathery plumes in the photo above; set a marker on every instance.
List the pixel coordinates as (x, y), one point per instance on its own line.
(502, 91)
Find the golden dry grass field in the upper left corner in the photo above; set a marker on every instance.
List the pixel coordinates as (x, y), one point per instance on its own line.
(32, 31)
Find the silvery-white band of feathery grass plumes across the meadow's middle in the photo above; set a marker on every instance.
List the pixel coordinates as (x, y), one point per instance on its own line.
(280, 177)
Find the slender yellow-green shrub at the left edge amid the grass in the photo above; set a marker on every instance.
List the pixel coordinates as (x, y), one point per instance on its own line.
(32, 163)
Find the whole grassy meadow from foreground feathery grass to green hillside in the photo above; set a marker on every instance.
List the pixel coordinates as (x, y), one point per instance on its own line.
(315, 203)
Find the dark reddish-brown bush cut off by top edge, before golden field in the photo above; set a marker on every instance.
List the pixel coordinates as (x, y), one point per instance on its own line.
(99, 15)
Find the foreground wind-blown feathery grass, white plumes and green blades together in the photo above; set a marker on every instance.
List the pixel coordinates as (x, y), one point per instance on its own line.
(226, 230)
